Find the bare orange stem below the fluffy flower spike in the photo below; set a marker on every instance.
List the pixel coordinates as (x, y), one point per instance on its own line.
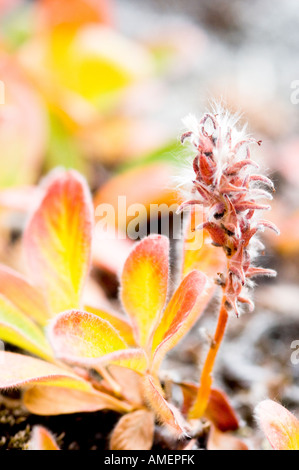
(206, 379)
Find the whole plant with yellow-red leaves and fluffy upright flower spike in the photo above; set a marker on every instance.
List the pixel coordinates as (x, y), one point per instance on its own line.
(45, 315)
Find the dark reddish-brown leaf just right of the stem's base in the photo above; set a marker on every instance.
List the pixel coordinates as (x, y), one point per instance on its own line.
(220, 412)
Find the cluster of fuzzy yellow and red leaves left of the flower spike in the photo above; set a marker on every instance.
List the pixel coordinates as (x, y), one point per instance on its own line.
(44, 314)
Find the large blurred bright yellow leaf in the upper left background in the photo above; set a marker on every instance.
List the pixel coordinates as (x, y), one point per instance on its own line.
(66, 64)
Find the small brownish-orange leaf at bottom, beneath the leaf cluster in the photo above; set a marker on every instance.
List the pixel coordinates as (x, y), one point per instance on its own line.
(134, 431)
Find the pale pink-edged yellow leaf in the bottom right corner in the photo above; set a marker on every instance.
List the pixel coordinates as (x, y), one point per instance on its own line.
(279, 425)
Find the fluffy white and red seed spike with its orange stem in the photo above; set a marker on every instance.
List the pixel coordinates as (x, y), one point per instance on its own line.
(224, 184)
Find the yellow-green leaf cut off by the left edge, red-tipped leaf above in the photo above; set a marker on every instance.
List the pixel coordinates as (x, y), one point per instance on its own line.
(19, 330)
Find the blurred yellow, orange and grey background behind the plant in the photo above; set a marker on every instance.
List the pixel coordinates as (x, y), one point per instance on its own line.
(102, 86)
